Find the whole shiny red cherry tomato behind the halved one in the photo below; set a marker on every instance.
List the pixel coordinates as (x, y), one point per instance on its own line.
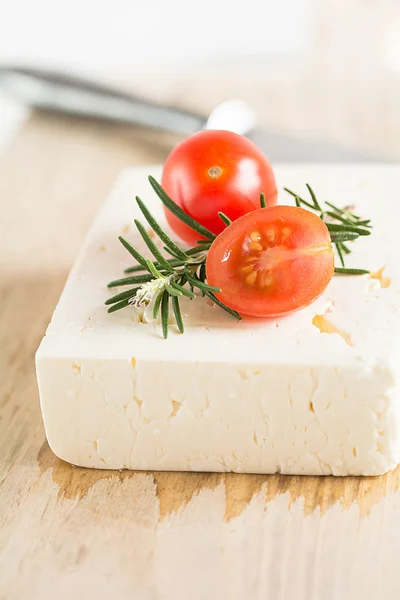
(214, 171)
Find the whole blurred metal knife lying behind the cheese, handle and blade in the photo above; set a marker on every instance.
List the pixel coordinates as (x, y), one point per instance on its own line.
(65, 93)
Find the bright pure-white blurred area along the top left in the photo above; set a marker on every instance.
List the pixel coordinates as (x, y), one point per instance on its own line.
(139, 35)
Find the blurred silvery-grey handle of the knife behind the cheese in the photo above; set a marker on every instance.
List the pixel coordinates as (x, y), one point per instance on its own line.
(74, 95)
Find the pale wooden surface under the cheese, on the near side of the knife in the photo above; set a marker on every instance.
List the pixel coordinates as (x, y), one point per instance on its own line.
(68, 532)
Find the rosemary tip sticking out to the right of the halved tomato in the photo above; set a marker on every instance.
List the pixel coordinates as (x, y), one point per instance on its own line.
(343, 225)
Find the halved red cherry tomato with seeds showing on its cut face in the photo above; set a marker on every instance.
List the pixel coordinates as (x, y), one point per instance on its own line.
(271, 261)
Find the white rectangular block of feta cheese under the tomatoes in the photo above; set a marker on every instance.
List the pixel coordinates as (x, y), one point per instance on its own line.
(317, 392)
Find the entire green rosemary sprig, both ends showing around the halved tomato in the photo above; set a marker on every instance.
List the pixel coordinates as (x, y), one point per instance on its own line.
(162, 281)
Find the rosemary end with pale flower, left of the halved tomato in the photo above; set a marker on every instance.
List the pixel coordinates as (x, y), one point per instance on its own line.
(163, 281)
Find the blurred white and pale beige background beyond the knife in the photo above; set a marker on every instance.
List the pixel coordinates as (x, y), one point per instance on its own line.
(325, 68)
